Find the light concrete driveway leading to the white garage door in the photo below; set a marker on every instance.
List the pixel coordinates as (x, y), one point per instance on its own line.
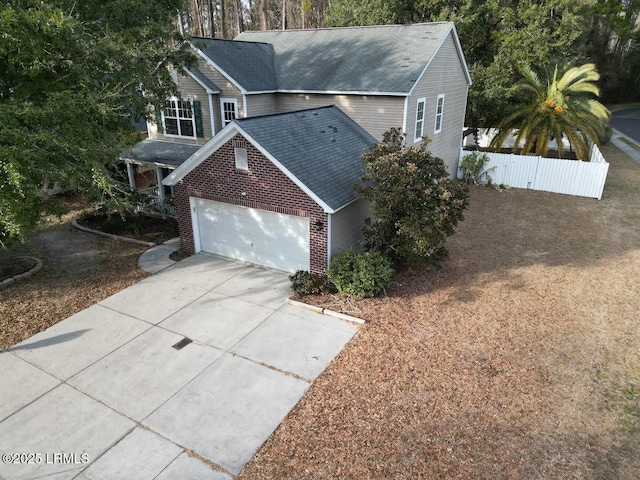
(181, 376)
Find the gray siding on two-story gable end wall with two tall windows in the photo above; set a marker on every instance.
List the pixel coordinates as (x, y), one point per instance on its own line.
(445, 75)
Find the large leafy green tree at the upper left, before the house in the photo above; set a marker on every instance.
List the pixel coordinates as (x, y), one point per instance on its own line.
(71, 79)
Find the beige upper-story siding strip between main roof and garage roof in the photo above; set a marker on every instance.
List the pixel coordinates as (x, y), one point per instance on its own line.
(376, 114)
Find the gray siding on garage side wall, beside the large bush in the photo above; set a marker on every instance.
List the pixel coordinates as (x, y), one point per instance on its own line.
(347, 225)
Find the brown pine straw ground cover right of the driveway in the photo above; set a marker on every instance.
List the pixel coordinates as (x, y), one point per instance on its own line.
(519, 359)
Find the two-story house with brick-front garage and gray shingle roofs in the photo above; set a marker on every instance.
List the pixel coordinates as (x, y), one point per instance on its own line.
(261, 151)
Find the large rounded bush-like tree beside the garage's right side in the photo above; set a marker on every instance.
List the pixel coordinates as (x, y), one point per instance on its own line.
(415, 205)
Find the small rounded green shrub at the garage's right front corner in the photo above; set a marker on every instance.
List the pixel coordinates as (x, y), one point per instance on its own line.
(360, 275)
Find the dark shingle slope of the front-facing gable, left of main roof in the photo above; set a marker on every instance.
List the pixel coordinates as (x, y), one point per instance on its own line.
(248, 63)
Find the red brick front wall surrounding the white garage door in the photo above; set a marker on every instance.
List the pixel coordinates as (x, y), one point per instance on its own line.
(265, 187)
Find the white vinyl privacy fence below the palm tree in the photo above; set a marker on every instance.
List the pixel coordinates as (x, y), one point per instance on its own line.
(571, 177)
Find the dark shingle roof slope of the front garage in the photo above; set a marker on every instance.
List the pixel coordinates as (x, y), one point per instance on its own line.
(321, 147)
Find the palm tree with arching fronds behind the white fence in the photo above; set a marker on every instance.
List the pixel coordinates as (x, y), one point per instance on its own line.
(561, 104)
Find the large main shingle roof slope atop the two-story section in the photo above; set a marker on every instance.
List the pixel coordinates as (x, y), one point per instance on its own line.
(378, 59)
